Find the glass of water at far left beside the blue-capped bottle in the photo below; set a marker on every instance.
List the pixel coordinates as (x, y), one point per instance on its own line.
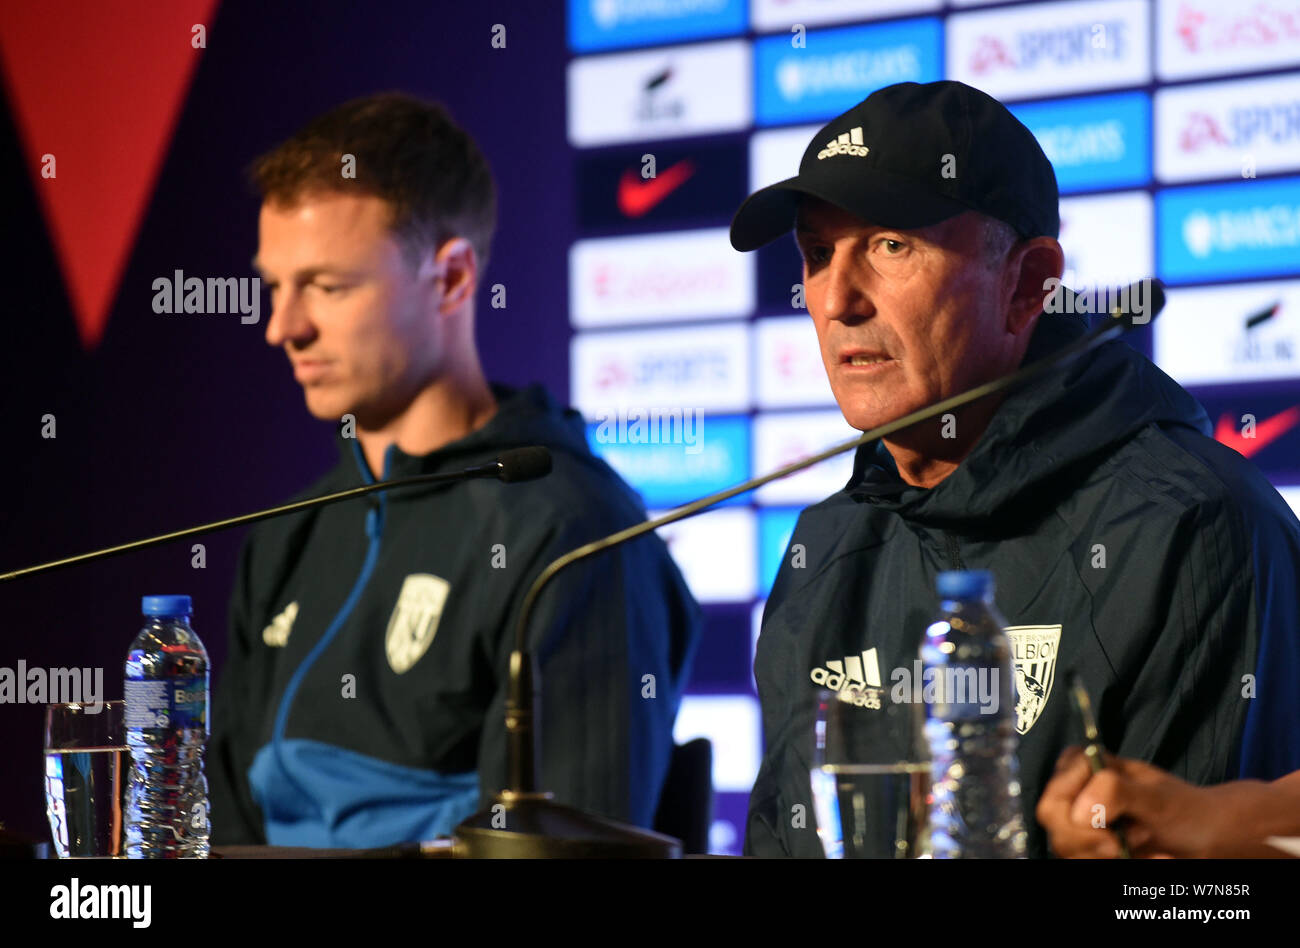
(86, 770)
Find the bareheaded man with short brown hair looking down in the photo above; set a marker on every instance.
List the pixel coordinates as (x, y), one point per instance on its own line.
(363, 698)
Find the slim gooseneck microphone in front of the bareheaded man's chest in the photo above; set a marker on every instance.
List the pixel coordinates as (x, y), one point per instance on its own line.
(512, 467)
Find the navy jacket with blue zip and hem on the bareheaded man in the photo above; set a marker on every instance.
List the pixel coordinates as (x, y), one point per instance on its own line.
(363, 698)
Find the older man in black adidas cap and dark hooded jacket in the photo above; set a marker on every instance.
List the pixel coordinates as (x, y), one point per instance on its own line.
(1125, 542)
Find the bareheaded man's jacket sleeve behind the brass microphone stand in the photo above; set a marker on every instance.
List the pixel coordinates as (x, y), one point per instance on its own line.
(613, 639)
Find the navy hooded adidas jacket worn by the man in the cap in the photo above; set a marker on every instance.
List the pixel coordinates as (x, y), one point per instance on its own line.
(1124, 542)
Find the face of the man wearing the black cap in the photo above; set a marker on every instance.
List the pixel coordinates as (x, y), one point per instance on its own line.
(904, 318)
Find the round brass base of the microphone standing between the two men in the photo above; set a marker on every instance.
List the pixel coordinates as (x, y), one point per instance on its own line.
(532, 826)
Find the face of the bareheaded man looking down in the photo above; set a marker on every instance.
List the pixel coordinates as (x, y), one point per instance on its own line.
(359, 326)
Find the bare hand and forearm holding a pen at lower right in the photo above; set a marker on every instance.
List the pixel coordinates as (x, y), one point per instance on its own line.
(1163, 816)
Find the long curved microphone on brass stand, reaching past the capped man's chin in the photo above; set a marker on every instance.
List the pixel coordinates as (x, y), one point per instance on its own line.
(551, 829)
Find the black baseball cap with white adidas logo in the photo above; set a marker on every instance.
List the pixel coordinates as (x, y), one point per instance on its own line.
(912, 155)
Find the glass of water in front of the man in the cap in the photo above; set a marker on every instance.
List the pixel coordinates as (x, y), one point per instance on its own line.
(870, 777)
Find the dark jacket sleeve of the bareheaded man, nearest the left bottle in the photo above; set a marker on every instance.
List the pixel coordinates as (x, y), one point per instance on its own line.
(236, 715)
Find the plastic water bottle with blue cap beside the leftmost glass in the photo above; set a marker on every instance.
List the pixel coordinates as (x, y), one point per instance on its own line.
(167, 728)
